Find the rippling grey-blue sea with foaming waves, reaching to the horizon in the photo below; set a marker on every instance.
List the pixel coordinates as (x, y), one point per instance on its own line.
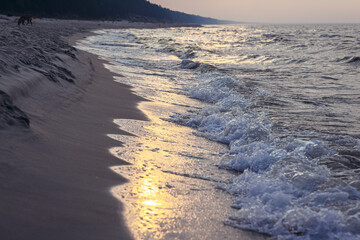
(283, 101)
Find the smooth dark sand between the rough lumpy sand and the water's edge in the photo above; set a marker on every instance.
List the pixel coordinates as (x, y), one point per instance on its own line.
(55, 176)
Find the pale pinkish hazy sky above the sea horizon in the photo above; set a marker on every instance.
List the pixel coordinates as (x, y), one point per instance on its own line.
(278, 11)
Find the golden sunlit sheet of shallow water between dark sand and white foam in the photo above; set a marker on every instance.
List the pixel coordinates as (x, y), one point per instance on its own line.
(165, 197)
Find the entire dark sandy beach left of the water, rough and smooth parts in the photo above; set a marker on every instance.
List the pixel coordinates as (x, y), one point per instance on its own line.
(54, 175)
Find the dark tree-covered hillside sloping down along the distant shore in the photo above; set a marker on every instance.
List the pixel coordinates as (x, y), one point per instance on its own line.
(99, 9)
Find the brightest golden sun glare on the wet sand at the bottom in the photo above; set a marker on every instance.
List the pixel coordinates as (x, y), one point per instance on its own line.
(148, 201)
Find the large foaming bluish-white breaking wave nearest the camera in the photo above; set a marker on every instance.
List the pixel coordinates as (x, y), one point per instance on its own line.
(283, 189)
